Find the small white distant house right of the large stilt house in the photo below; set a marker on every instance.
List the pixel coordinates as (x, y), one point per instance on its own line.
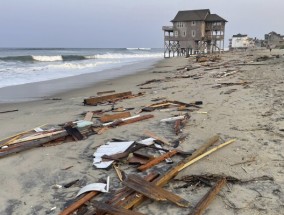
(241, 41)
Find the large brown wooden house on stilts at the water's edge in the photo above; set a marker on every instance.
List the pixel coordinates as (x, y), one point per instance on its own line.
(194, 31)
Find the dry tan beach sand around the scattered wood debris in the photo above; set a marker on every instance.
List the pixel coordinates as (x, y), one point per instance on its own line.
(252, 113)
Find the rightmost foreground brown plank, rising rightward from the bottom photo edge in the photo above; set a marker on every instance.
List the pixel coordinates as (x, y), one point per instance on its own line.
(208, 198)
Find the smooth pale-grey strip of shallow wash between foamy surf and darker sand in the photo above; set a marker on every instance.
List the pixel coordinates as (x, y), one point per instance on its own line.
(52, 88)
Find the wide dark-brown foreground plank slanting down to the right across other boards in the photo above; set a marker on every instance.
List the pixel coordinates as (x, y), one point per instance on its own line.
(152, 191)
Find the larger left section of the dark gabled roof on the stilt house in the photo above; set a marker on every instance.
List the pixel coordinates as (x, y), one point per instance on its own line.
(191, 15)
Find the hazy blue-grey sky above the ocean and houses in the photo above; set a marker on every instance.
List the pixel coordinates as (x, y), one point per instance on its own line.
(123, 23)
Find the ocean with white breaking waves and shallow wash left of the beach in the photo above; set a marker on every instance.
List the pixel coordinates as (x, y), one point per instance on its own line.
(27, 67)
